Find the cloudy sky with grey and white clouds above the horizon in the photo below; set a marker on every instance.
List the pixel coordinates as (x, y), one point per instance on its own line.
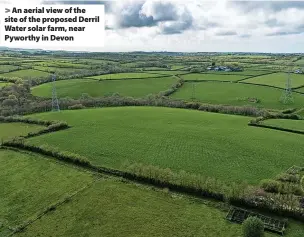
(204, 26)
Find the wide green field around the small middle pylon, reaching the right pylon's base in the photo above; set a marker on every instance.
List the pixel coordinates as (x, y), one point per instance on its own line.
(235, 94)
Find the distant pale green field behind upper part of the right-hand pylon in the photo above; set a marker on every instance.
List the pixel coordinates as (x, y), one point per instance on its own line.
(278, 80)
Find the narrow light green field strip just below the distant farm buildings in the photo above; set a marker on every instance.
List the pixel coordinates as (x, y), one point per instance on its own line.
(211, 77)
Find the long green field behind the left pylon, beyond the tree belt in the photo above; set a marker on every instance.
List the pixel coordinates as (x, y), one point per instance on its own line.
(134, 88)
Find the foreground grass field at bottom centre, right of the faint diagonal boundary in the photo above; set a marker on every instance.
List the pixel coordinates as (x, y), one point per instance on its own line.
(119, 209)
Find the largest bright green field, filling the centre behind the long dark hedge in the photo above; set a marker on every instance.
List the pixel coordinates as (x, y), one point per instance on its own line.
(216, 145)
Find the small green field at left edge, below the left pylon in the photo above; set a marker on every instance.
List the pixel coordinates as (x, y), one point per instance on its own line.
(10, 130)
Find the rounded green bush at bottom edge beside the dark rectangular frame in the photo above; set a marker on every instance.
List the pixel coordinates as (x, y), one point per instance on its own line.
(253, 227)
